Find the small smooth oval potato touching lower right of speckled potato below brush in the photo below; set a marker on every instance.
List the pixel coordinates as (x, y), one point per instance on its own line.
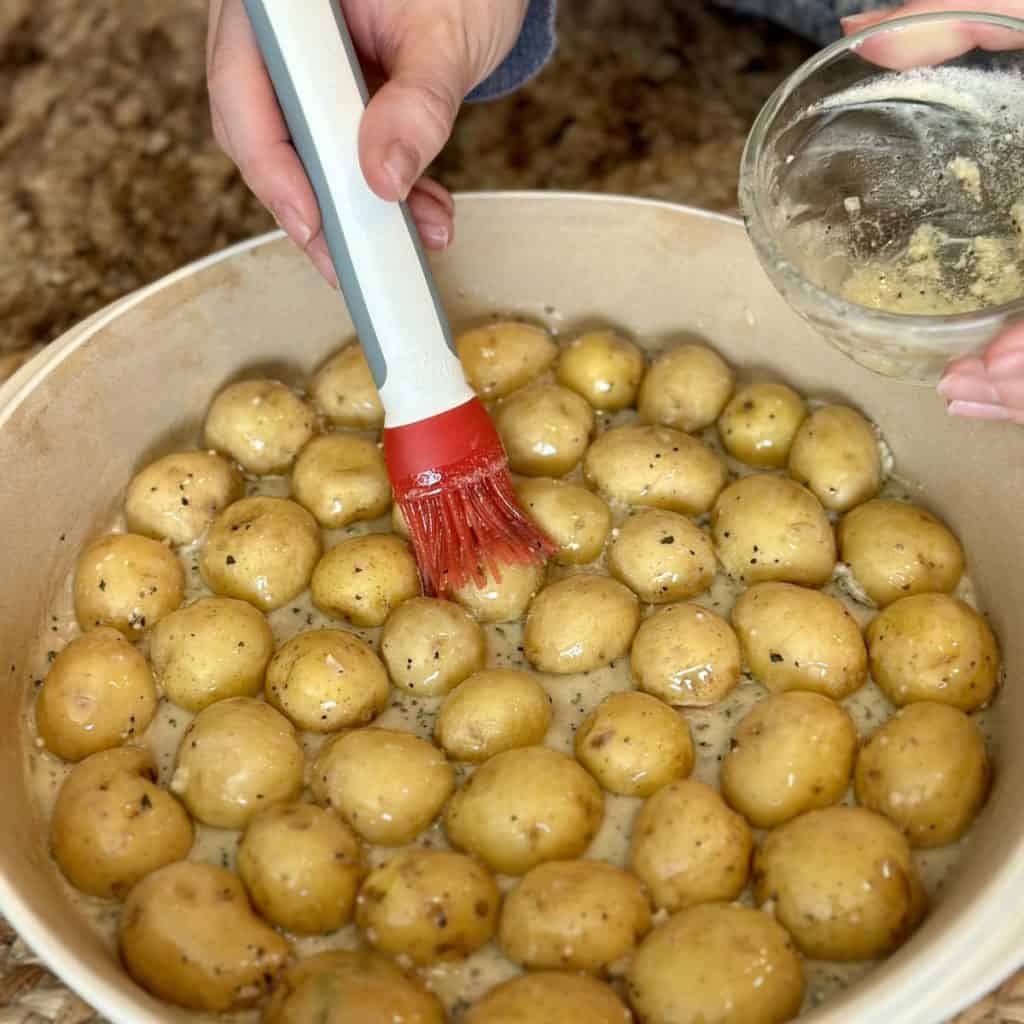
(493, 711)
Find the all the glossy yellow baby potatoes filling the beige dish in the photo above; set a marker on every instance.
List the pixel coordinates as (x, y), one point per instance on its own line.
(646, 513)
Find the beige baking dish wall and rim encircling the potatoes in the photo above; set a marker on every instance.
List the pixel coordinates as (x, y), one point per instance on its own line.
(77, 424)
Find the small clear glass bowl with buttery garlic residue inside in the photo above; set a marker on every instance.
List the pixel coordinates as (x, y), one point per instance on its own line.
(883, 189)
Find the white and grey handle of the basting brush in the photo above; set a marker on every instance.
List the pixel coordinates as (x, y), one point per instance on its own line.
(374, 246)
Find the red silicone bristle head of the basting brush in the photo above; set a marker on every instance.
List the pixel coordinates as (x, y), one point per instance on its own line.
(451, 480)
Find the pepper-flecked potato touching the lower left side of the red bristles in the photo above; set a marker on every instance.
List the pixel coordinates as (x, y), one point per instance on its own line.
(364, 579)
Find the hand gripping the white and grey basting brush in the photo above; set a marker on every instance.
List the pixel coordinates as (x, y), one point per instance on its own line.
(421, 58)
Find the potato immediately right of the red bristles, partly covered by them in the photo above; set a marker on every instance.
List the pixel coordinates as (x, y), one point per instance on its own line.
(574, 519)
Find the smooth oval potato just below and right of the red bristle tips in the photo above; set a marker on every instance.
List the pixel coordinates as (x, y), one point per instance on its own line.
(580, 624)
